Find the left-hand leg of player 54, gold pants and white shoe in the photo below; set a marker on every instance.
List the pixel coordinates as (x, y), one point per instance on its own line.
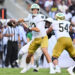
(58, 49)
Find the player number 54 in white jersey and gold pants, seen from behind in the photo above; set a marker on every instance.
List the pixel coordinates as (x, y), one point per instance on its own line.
(61, 30)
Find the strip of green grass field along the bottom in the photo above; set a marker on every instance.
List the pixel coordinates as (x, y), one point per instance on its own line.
(16, 71)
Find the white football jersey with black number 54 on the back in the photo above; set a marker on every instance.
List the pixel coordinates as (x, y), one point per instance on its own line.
(61, 28)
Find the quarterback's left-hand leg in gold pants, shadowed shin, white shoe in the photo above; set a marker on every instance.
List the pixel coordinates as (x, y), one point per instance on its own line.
(32, 48)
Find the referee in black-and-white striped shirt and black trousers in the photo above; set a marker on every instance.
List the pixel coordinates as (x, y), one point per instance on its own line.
(12, 33)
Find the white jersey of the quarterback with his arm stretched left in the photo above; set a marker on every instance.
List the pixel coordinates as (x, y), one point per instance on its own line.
(37, 21)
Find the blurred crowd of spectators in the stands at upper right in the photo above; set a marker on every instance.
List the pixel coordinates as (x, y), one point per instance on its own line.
(54, 6)
